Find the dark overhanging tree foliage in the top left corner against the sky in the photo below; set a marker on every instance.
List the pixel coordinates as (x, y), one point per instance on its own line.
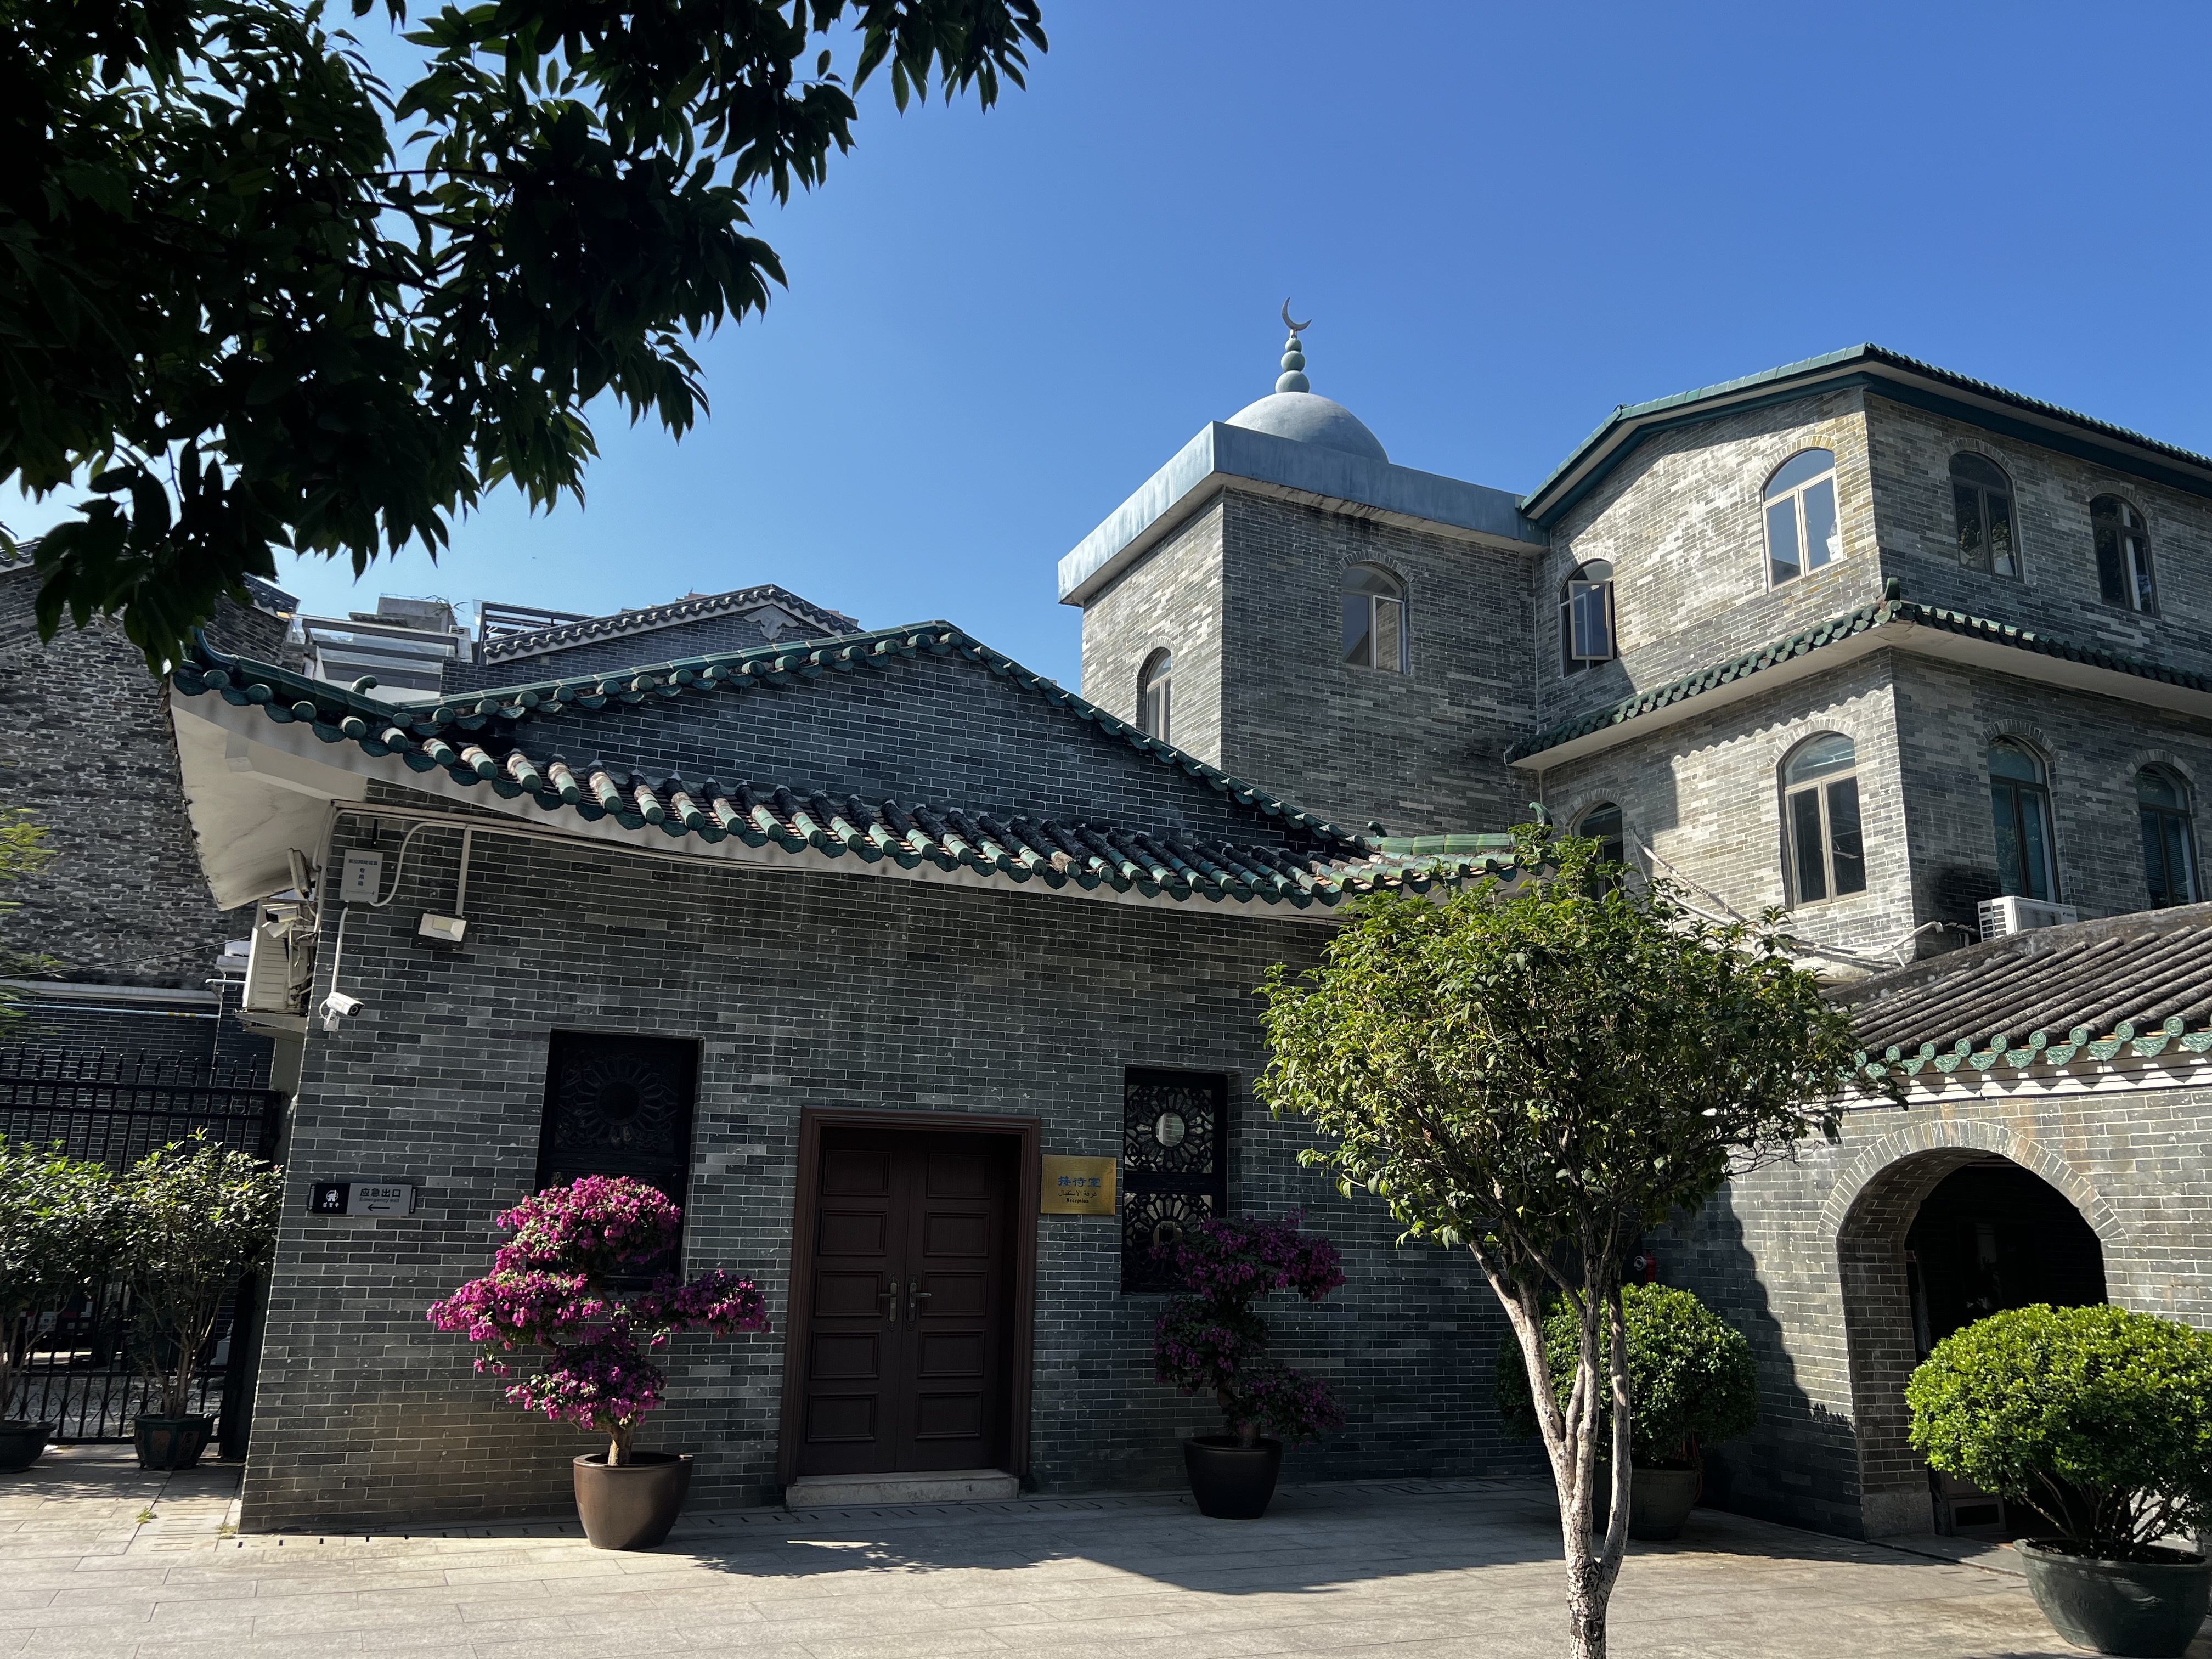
(253, 300)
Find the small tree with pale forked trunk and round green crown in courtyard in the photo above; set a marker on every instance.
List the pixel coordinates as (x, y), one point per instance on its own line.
(1541, 1072)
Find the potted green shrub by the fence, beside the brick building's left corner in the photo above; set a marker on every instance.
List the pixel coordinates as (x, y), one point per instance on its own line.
(196, 1220)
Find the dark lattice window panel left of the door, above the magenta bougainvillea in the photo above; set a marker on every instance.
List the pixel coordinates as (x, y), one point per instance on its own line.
(618, 1107)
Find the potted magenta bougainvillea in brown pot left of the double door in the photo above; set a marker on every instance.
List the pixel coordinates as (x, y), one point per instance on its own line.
(559, 1286)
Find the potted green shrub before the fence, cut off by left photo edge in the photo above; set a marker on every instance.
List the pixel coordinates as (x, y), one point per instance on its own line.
(56, 1227)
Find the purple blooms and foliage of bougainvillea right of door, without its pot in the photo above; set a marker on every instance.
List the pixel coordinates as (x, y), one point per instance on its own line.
(1213, 1342)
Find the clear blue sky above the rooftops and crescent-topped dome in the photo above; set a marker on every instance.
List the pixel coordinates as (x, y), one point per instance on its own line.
(1505, 220)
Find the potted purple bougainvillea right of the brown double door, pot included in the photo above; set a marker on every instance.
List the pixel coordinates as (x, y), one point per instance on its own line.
(1211, 1342)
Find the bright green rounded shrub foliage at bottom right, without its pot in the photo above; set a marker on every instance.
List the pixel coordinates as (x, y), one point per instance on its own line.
(2096, 1417)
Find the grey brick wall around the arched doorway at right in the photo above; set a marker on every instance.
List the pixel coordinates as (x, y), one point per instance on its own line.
(1808, 1260)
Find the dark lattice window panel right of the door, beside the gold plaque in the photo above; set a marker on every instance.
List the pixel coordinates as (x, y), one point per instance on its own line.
(1176, 1165)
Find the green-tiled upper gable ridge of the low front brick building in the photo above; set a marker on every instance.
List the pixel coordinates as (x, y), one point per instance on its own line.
(421, 724)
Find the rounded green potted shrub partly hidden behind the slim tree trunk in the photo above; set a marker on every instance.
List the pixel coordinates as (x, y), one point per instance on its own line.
(1691, 1381)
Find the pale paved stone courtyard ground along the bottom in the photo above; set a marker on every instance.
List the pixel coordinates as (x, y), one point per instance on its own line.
(105, 1563)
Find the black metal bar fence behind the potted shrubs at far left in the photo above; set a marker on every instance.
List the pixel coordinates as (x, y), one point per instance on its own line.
(81, 1368)
